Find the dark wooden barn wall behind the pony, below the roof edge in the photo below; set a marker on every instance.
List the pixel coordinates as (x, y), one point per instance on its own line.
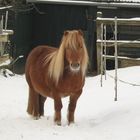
(46, 23)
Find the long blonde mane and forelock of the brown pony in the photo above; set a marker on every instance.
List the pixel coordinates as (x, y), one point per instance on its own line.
(56, 59)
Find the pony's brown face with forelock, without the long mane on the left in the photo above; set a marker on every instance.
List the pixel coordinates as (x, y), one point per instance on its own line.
(75, 51)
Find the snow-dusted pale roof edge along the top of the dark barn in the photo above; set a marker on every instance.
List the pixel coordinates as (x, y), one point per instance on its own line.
(104, 3)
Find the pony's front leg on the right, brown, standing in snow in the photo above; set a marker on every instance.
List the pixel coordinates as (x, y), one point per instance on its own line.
(72, 106)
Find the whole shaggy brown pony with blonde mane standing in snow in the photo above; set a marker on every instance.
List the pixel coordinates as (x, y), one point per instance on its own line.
(57, 73)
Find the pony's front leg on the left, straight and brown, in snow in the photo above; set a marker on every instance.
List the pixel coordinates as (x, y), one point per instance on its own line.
(58, 107)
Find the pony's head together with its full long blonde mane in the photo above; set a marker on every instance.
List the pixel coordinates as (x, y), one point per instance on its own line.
(72, 52)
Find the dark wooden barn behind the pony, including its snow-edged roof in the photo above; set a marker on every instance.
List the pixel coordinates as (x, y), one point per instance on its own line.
(44, 21)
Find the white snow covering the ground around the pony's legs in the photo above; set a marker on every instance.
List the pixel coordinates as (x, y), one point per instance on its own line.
(97, 117)
